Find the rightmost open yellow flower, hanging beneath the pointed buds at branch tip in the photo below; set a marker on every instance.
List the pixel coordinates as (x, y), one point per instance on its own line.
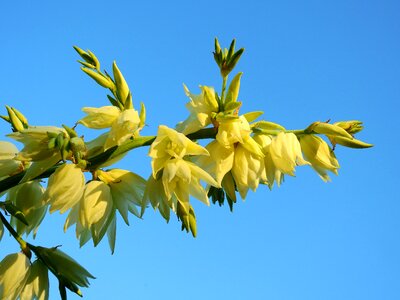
(320, 155)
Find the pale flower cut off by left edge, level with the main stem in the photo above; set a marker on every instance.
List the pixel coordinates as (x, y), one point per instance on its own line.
(8, 165)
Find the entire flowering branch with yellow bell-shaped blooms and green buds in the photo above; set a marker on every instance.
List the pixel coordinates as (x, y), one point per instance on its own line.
(242, 154)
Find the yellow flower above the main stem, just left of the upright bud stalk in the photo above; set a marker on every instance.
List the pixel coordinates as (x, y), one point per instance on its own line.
(201, 108)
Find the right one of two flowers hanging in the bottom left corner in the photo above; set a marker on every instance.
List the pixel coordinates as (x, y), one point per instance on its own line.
(37, 284)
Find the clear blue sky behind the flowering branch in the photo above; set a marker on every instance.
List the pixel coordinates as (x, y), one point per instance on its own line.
(304, 61)
